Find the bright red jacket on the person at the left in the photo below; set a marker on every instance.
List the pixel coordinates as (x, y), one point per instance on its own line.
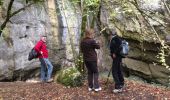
(41, 46)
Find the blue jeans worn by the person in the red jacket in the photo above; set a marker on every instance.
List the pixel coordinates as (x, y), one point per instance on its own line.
(46, 69)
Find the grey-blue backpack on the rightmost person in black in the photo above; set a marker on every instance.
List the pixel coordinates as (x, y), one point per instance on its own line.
(124, 48)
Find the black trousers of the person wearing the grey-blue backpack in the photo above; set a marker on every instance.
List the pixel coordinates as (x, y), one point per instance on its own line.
(117, 72)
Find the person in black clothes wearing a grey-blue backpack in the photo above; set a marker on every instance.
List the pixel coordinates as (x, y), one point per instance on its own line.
(115, 48)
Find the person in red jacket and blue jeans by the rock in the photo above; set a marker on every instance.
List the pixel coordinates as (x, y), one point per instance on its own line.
(46, 66)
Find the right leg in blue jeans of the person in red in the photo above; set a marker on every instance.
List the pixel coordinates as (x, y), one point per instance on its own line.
(49, 68)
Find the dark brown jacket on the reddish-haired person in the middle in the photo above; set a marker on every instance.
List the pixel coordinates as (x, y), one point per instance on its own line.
(88, 46)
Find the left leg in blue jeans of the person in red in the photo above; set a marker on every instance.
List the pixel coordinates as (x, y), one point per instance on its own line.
(43, 78)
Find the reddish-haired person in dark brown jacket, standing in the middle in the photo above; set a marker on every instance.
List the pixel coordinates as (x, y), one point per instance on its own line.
(88, 46)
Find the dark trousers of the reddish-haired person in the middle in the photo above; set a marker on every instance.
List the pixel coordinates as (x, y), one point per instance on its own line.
(93, 74)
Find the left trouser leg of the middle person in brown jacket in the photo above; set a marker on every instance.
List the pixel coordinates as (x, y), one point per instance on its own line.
(90, 74)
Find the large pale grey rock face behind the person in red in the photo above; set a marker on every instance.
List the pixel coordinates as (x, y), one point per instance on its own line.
(24, 31)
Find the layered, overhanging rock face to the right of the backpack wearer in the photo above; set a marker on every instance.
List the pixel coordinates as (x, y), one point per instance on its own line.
(144, 48)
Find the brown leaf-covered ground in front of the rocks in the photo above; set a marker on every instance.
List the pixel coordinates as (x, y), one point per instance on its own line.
(54, 91)
